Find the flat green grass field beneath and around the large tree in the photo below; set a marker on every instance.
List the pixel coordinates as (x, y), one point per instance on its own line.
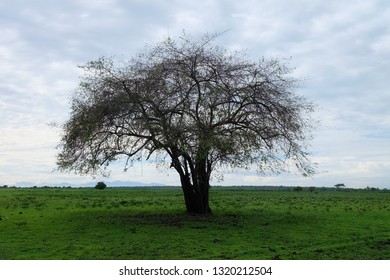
(150, 223)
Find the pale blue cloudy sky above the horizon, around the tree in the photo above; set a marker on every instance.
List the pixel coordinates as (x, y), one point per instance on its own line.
(340, 48)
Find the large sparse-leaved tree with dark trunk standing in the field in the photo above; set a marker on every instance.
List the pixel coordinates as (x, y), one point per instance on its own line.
(194, 103)
